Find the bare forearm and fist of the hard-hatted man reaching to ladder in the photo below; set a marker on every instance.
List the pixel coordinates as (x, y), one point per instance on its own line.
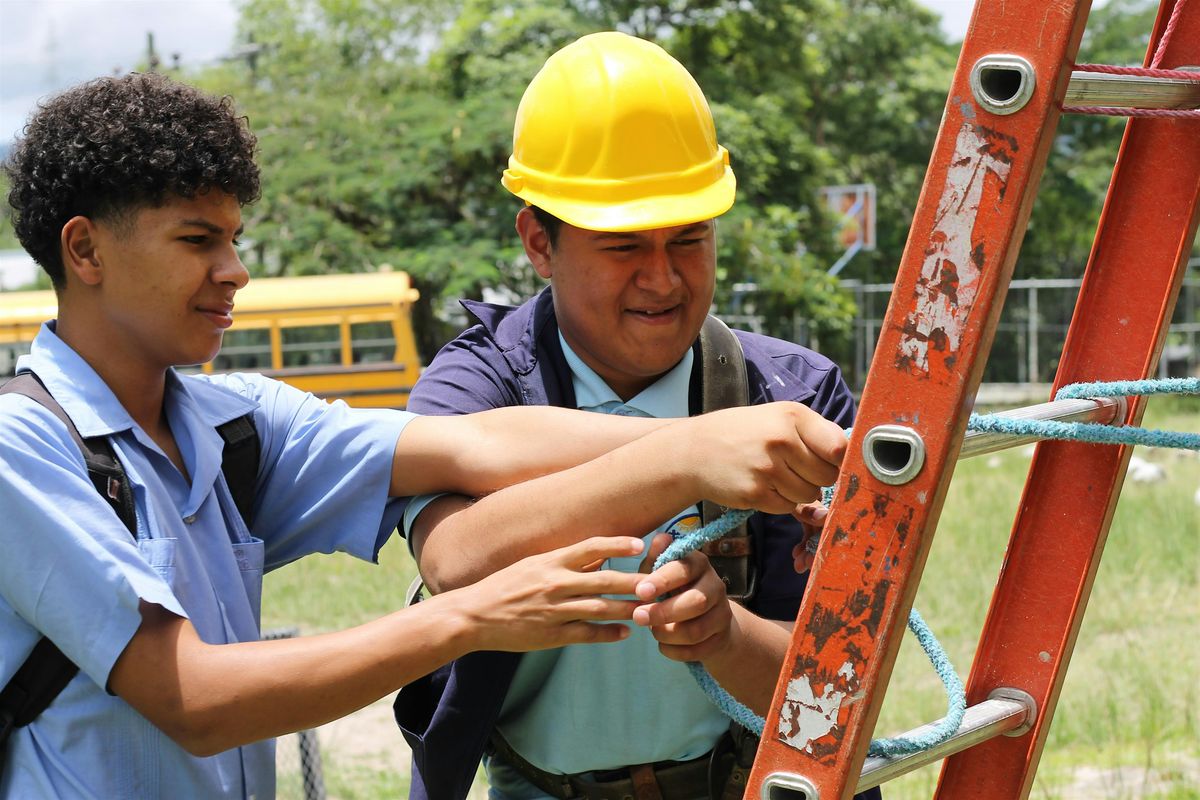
(769, 458)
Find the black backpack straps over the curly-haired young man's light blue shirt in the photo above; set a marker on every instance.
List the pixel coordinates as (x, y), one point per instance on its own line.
(47, 671)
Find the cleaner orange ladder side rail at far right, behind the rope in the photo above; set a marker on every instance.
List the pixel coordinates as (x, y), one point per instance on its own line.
(1119, 329)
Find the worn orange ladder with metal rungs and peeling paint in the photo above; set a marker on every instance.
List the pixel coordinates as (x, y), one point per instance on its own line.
(1015, 73)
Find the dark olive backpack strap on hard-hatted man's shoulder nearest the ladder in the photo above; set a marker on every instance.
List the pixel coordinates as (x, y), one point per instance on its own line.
(724, 384)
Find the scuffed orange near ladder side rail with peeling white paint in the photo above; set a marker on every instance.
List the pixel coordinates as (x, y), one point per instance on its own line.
(940, 323)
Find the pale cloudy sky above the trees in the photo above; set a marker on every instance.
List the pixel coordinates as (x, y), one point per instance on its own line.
(50, 45)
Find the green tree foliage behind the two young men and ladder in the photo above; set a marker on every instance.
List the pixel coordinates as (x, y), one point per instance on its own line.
(385, 127)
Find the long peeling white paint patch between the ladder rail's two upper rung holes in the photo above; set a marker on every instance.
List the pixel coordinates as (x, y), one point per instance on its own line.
(943, 303)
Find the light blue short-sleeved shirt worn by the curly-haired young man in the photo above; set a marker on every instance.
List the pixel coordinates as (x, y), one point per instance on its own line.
(73, 573)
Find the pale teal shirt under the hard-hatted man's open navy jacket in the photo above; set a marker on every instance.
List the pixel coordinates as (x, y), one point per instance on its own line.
(603, 707)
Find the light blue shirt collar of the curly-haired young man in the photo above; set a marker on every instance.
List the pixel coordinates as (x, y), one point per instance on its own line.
(93, 406)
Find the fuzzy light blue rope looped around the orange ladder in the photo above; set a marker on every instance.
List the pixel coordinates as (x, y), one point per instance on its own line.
(956, 695)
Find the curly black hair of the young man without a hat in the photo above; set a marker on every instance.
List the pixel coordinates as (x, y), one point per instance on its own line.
(111, 147)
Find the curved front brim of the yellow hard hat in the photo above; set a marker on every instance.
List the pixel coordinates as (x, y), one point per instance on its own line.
(641, 214)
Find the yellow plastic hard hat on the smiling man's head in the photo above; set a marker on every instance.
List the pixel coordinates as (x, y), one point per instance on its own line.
(615, 135)
